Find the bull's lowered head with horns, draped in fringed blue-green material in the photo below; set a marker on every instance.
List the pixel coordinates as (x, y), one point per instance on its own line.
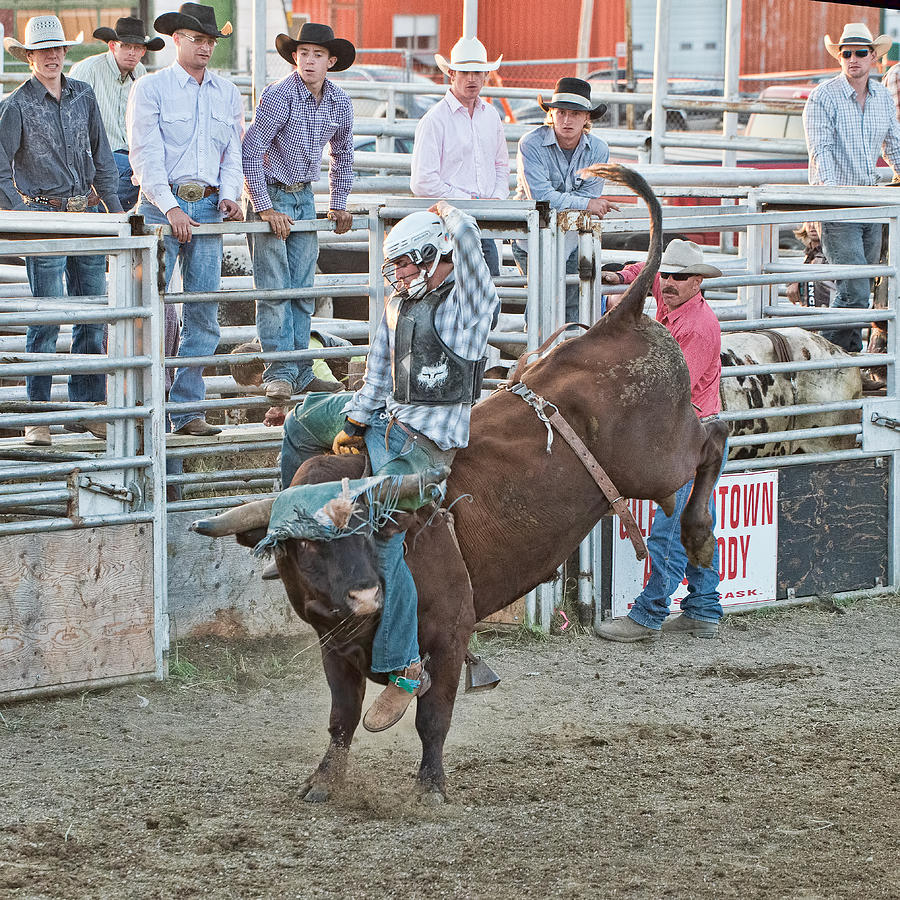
(323, 537)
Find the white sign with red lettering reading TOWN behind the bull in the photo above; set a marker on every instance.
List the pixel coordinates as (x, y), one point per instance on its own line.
(747, 533)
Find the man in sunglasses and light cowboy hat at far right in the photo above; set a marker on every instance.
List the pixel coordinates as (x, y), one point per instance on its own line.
(851, 121)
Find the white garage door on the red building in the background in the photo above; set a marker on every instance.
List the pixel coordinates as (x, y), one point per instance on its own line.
(696, 36)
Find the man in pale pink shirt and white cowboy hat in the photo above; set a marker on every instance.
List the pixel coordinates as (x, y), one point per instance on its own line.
(460, 146)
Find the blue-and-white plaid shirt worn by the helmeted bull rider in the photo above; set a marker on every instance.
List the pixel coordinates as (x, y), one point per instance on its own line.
(463, 321)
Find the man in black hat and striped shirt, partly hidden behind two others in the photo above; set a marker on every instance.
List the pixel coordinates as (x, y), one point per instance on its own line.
(112, 75)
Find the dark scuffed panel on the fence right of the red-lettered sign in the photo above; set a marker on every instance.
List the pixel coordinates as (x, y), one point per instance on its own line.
(832, 527)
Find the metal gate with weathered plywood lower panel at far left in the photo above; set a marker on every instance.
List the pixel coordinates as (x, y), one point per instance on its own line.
(82, 525)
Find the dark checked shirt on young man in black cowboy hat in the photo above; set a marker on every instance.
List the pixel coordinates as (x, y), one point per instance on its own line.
(288, 134)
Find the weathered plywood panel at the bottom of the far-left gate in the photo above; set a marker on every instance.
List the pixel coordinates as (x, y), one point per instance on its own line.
(75, 606)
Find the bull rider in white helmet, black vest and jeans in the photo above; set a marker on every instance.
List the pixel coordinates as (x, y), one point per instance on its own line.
(423, 374)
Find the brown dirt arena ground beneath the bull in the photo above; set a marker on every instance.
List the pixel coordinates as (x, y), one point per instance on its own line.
(762, 765)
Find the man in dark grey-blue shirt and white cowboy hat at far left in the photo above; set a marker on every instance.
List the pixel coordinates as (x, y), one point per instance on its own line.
(55, 157)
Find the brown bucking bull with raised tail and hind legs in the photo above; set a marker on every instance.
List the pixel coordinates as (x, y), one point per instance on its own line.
(624, 388)
